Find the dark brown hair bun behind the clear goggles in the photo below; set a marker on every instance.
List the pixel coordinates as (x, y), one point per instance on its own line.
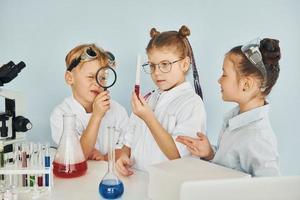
(270, 51)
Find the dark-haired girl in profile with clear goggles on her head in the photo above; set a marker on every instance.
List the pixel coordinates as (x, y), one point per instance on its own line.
(247, 141)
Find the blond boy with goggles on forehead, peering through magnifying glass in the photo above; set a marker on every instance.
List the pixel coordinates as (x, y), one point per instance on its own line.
(94, 108)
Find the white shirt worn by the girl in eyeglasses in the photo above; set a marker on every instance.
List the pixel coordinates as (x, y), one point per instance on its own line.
(180, 111)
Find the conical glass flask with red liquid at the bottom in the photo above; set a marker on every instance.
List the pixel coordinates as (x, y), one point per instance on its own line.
(69, 160)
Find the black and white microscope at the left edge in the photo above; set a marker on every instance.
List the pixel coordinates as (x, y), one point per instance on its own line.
(12, 122)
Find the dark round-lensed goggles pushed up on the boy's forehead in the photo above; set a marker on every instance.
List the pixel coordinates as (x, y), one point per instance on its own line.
(90, 54)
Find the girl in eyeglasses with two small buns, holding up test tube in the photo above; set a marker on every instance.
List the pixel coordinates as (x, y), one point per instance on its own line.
(173, 109)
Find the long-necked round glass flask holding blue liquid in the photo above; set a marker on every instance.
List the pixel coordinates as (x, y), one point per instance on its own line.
(111, 187)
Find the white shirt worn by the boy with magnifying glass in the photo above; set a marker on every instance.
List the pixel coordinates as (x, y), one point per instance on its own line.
(116, 116)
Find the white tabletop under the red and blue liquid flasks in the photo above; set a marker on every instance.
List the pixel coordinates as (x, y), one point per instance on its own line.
(86, 187)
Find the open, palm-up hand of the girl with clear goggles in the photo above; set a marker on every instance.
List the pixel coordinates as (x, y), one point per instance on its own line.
(198, 146)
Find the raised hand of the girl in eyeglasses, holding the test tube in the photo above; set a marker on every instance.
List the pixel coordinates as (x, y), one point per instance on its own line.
(140, 107)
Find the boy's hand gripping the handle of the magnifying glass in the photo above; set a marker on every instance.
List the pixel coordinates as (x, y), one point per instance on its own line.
(101, 103)
